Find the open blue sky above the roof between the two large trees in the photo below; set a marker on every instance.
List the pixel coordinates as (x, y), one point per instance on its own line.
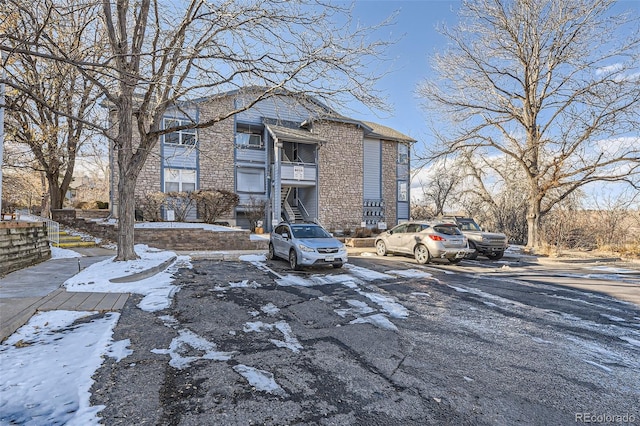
(415, 23)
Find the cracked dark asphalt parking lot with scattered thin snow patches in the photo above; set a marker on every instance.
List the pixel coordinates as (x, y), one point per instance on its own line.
(378, 342)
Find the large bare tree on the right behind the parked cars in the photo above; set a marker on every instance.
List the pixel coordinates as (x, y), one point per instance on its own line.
(552, 85)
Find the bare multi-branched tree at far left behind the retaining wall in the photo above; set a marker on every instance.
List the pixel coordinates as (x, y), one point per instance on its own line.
(48, 101)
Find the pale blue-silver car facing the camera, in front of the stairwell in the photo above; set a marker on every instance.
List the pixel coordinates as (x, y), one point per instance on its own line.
(306, 244)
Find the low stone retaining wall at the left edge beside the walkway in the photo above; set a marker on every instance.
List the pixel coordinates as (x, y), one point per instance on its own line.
(22, 244)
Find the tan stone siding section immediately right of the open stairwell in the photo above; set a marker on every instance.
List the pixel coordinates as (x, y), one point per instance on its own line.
(340, 192)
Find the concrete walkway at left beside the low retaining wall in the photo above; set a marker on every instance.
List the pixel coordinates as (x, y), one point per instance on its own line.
(38, 288)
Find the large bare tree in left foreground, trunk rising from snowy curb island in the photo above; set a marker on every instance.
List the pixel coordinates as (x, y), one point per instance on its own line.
(164, 54)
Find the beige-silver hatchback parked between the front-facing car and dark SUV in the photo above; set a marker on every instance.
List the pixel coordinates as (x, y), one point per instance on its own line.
(425, 241)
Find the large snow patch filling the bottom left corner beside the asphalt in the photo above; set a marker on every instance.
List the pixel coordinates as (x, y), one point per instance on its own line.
(47, 367)
